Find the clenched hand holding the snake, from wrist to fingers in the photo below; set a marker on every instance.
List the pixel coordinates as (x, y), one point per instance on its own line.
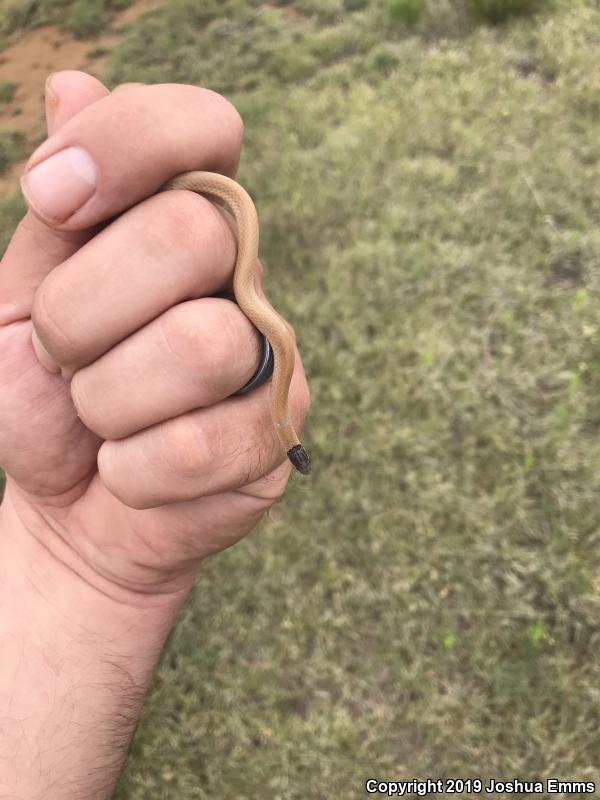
(125, 453)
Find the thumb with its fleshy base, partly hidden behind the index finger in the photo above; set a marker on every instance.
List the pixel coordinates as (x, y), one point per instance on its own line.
(43, 446)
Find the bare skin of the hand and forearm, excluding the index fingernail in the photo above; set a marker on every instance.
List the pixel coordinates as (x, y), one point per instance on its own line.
(127, 460)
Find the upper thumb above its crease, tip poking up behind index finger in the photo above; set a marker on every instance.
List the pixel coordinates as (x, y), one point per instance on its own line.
(35, 249)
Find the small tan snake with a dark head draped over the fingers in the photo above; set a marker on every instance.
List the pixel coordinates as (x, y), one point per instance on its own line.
(261, 315)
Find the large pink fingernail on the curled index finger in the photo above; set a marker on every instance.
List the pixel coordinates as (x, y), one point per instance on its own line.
(61, 184)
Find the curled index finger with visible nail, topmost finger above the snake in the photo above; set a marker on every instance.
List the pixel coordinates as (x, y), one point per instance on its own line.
(124, 147)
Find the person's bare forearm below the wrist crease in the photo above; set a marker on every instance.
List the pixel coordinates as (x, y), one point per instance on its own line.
(75, 664)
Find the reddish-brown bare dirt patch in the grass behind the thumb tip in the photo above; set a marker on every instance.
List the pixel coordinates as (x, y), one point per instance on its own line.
(28, 62)
